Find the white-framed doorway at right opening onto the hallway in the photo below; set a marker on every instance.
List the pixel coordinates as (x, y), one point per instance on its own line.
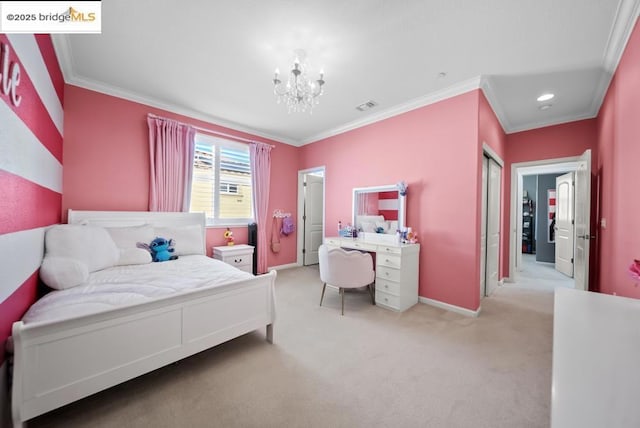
(551, 239)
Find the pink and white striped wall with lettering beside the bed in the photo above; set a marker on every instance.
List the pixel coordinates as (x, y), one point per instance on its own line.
(26, 201)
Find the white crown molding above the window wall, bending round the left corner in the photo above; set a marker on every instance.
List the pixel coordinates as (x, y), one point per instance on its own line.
(65, 57)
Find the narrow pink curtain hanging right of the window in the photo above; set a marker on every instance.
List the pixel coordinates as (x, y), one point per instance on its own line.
(260, 155)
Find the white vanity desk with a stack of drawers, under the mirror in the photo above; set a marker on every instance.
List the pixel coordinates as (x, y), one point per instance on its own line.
(396, 270)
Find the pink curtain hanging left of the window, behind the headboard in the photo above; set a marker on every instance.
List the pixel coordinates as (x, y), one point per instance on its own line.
(171, 148)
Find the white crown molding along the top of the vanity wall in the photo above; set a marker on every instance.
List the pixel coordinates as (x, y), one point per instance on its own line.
(432, 98)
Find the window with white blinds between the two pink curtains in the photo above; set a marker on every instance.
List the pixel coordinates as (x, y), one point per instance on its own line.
(221, 185)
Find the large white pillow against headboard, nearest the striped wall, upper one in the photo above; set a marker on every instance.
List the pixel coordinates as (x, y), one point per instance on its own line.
(90, 245)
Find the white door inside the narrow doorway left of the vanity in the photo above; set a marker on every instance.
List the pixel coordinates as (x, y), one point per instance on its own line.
(313, 218)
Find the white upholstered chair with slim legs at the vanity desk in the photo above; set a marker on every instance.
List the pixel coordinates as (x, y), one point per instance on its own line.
(345, 269)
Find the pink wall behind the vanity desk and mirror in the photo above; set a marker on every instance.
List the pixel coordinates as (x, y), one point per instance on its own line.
(435, 150)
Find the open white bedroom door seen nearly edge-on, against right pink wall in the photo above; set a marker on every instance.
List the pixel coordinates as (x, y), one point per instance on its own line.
(582, 221)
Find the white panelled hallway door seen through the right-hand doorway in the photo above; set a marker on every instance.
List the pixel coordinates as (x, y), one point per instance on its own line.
(564, 223)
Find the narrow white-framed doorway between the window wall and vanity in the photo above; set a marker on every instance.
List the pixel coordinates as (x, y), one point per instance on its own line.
(311, 202)
